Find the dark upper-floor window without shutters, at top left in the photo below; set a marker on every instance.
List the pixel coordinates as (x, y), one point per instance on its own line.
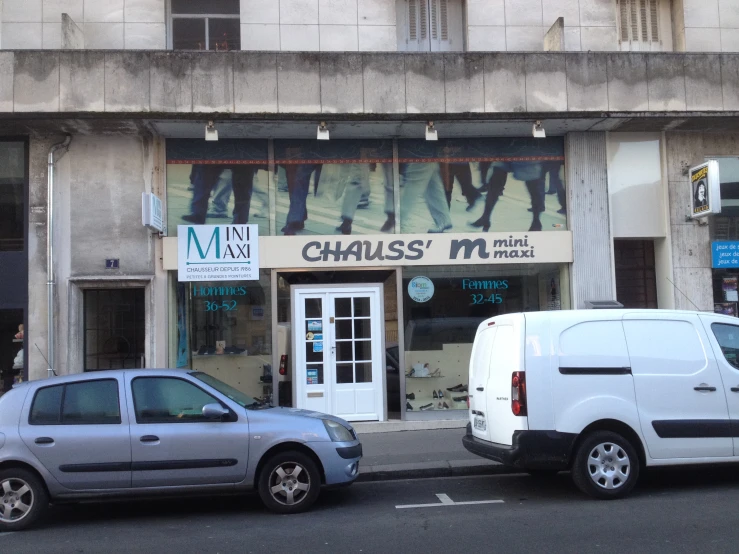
(209, 25)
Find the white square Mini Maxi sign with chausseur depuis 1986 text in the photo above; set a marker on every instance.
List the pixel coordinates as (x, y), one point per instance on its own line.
(218, 252)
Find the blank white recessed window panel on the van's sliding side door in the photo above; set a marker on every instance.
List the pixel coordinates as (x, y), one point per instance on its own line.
(664, 347)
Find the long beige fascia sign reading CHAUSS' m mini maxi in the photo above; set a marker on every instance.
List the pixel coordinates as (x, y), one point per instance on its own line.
(542, 247)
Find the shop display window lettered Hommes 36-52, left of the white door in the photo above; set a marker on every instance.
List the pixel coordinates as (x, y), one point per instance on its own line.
(224, 329)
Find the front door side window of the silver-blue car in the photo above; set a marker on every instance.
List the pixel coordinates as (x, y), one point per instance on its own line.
(169, 400)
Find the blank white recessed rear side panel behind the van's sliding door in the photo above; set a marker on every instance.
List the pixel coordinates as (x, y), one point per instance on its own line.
(593, 345)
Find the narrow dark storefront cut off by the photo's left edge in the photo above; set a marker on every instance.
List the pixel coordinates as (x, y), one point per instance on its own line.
(13, 260)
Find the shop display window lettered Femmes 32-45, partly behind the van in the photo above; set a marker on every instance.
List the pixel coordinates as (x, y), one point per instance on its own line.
(443, 307)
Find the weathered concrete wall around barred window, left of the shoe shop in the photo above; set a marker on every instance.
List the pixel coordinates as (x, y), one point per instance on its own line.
(98, 186)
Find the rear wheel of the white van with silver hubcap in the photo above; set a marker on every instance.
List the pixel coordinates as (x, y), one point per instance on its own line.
(605, 466)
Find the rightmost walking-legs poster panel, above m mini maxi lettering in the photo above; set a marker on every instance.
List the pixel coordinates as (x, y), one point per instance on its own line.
(479, 185)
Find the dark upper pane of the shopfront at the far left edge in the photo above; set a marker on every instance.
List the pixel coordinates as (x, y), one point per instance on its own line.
(12, 195)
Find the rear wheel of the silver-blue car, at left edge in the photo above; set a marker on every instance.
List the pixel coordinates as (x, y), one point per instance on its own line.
(23, 499)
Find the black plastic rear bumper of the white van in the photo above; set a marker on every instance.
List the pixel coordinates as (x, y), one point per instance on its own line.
(529, 449)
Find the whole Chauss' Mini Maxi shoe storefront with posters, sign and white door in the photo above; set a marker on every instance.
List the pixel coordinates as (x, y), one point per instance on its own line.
(377, 261)
